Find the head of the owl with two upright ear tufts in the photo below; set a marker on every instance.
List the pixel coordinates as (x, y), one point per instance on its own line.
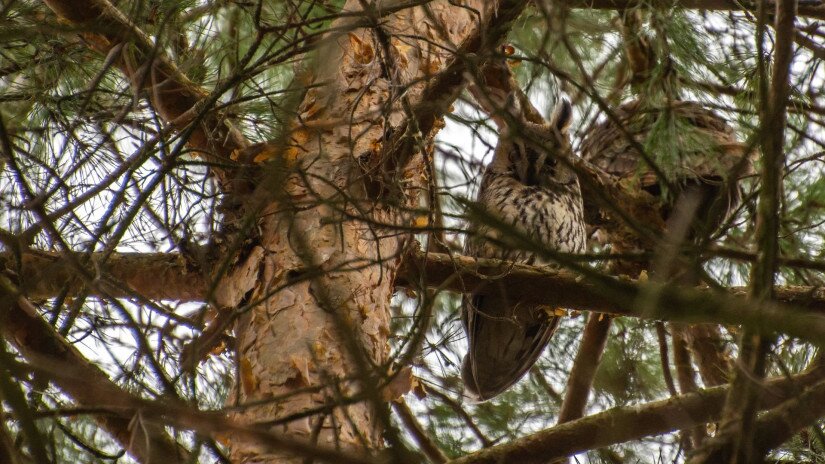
(534, 153)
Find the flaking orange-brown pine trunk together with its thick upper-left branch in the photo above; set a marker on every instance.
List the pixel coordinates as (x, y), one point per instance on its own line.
(297, 330)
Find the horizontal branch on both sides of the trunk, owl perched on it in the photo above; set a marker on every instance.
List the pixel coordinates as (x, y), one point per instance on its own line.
(796, 310)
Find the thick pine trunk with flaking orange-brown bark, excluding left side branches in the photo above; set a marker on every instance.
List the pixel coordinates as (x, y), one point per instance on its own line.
(332, 330)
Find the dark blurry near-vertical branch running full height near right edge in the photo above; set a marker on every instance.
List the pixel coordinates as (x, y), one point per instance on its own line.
(738, 426)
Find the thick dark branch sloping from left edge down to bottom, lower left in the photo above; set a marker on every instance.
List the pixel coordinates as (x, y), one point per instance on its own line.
(50, 355)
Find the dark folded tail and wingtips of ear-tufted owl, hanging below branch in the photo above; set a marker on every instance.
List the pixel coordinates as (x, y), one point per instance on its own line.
(504, 343)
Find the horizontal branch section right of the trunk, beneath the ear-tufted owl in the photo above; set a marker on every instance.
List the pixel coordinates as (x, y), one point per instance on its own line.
(798, 311)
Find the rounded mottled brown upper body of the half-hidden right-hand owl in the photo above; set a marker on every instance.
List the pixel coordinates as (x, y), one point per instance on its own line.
(702, 153)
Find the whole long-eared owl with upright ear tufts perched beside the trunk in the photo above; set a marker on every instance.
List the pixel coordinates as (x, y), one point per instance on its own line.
(529, 189)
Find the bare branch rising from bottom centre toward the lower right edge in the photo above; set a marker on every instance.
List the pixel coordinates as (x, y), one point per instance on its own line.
(619, 425)
